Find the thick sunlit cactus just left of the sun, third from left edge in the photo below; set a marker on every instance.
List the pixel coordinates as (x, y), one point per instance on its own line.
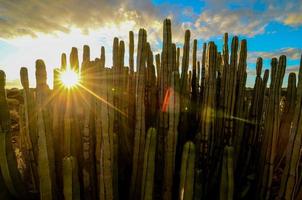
(46, 165)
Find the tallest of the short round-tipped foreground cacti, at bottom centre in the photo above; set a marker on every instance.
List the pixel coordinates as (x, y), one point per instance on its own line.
(149, 165)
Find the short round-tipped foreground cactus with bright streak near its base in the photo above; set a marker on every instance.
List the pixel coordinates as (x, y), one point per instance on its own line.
(187, 172)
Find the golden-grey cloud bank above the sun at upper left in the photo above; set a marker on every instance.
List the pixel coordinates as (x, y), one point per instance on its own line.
(31, 17)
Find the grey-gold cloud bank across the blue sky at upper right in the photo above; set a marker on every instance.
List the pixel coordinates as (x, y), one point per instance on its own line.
(240, 17)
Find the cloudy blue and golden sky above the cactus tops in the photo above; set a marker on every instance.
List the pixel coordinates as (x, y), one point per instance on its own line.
(31, 29)
